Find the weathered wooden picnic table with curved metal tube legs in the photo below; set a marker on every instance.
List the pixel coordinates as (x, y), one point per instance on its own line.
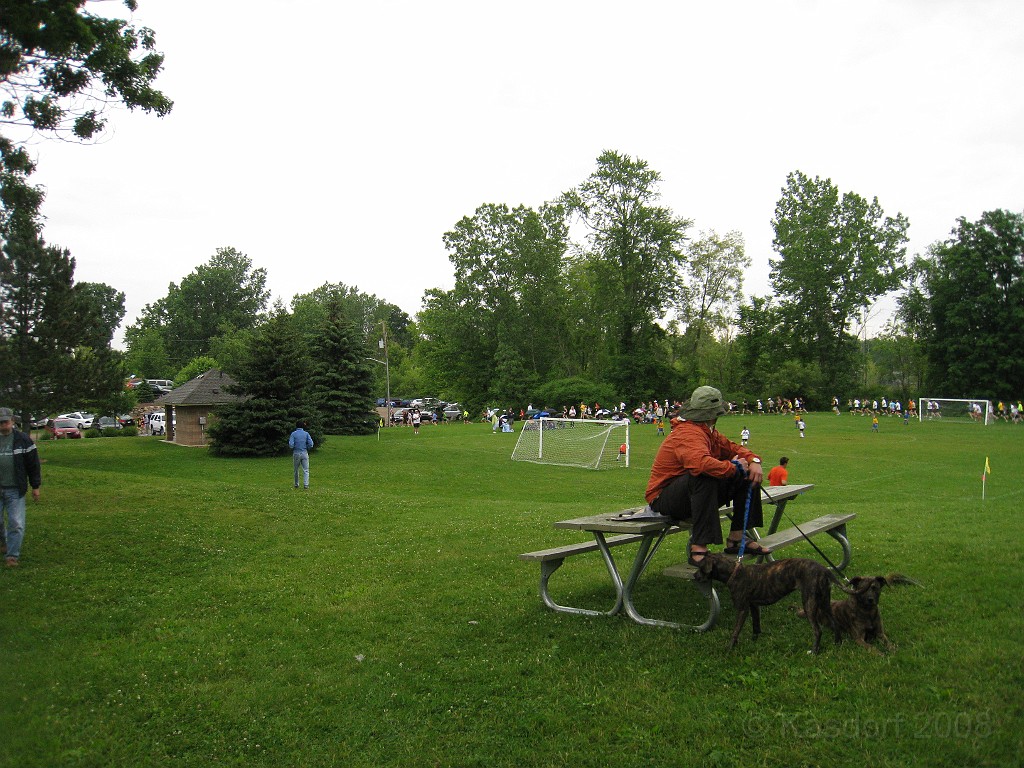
(642, 526)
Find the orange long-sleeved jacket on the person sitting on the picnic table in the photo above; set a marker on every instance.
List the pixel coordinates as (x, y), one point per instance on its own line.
(693, 448)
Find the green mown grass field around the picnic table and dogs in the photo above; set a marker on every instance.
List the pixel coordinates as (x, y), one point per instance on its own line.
(173, 609)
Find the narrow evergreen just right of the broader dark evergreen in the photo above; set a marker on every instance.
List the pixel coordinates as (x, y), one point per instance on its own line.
(342, 381)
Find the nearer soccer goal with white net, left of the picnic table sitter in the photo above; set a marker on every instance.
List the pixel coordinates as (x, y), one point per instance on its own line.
(575, 443)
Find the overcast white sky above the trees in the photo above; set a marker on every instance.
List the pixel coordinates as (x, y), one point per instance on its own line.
(335, 142)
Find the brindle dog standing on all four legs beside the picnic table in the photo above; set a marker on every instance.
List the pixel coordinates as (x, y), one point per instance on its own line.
(754, 586)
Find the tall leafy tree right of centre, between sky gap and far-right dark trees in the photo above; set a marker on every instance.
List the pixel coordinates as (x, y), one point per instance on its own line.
(836, 255)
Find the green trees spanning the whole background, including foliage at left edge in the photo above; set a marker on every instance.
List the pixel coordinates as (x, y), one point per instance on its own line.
(602, 294)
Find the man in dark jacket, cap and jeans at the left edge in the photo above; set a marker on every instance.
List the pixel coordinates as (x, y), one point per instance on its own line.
(19, 470)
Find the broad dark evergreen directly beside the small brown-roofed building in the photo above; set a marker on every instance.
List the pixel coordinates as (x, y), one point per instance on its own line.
(272, 382)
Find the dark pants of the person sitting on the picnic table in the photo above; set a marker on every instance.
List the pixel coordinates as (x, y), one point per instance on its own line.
(697, 500)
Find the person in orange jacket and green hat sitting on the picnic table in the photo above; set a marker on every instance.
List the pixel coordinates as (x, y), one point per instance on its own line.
(698, 470)
